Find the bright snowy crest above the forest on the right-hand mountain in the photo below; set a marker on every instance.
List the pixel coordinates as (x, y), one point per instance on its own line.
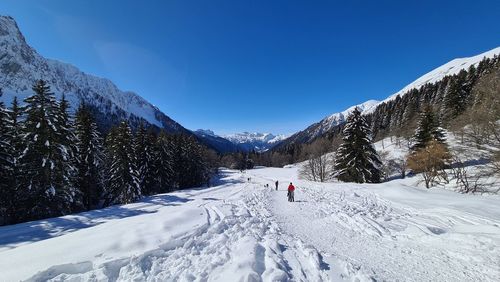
(329, 123)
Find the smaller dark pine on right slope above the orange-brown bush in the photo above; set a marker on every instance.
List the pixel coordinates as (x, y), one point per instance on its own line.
(428, 129)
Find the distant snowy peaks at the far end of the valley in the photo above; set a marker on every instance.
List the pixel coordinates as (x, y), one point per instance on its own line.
(255, 141)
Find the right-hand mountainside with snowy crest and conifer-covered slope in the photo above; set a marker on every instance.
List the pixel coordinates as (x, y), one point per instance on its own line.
(451, 90)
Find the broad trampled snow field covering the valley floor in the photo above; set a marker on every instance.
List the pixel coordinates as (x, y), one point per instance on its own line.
(242, 231)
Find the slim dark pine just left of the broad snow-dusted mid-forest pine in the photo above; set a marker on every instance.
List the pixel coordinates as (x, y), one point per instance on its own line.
(89, 159)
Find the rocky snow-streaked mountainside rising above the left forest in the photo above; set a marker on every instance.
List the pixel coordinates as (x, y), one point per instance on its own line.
(21, 66)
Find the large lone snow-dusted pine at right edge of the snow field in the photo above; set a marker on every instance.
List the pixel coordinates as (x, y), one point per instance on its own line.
(356, 158)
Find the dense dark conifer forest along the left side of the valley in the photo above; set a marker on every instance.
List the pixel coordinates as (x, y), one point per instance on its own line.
(52, 163)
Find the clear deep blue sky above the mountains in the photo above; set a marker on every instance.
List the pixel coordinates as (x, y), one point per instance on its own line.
(273, 66)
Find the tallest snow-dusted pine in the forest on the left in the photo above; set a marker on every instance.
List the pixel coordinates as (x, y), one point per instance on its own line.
(45, 188)
